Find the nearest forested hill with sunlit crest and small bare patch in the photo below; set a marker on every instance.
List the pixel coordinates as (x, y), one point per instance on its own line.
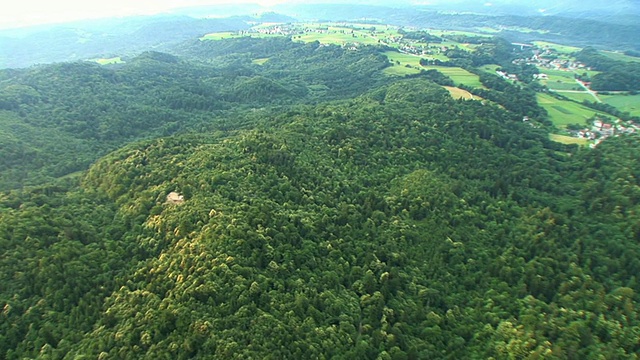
(400, 224)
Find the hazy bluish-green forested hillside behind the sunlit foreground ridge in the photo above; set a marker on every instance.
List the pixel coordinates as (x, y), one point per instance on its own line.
(58, 119)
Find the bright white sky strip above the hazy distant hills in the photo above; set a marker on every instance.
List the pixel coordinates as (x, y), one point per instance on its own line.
(20, 13)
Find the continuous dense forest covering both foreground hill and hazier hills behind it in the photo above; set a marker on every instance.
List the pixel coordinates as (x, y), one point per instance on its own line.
(304, 206)
